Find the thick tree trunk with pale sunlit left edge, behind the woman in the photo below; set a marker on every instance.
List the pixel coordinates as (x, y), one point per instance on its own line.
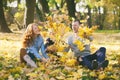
(29, 12)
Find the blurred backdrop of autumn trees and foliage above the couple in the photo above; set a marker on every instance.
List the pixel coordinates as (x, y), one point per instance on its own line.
(17, 14)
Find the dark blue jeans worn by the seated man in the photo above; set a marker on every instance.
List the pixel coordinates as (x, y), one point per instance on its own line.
(99, 56)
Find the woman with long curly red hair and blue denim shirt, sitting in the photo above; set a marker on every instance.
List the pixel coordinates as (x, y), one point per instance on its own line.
(32, 43)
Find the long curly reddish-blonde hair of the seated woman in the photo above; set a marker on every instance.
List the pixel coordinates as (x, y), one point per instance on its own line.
(29, 36)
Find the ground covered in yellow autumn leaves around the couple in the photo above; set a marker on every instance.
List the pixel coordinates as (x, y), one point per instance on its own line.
(12, 69)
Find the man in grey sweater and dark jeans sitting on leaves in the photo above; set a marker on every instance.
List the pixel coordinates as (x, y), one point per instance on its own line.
(92, 61)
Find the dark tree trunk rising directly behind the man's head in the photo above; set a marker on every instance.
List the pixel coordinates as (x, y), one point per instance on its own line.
(71, 8)
